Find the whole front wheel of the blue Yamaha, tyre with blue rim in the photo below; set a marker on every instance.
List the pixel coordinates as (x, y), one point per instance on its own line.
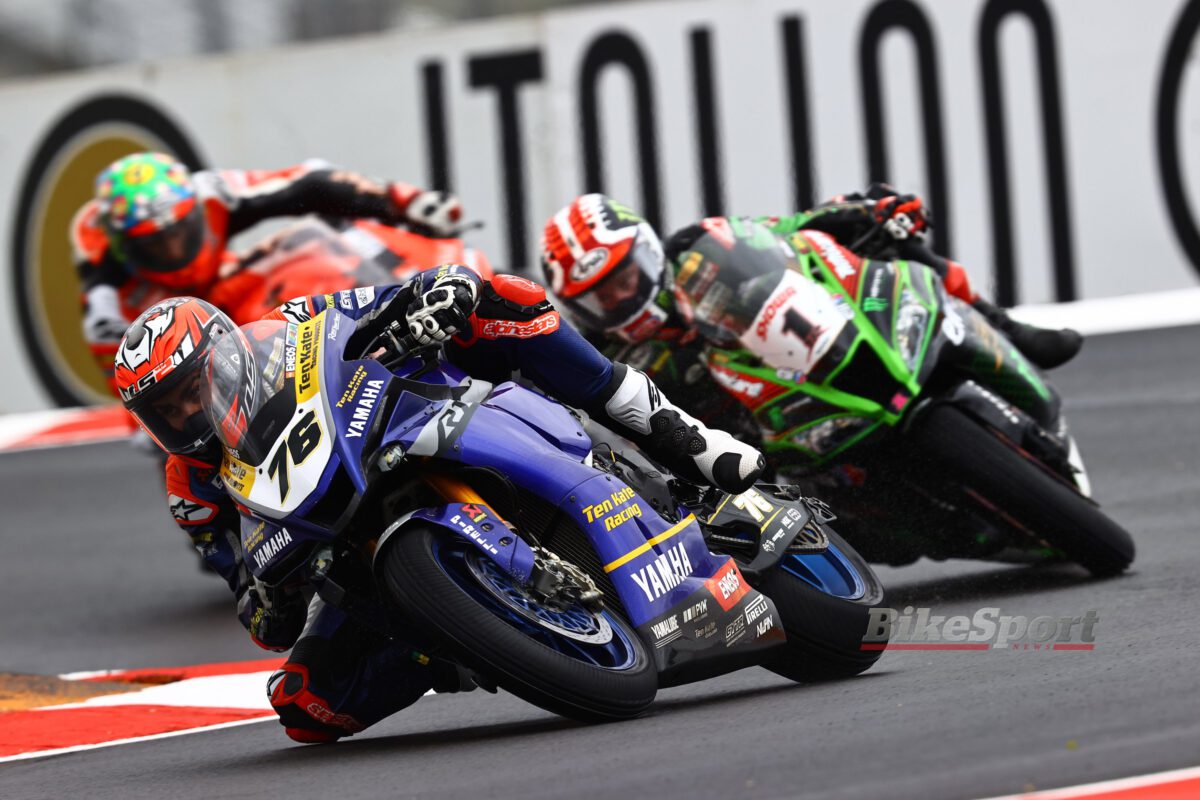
(445, 584)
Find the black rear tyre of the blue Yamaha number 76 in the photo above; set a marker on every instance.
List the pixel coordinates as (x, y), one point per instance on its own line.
(825, 633)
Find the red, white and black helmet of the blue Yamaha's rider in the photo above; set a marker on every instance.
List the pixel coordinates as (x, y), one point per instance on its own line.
(161, 371)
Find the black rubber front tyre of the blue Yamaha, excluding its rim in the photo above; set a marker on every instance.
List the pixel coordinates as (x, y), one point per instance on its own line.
(477, 630)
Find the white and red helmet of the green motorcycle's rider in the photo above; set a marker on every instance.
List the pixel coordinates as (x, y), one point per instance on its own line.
(605, 264)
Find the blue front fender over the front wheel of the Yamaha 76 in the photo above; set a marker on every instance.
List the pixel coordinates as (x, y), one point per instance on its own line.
(478, 525)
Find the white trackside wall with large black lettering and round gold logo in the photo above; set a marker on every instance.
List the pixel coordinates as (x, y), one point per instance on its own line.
(1048, 136)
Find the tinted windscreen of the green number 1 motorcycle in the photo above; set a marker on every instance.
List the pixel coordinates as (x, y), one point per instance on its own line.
(728, 275)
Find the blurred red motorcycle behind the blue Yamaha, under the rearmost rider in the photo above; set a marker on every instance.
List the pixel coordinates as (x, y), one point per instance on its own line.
(314, 257)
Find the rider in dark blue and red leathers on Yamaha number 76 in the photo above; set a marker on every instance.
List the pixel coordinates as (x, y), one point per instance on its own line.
(340, 677)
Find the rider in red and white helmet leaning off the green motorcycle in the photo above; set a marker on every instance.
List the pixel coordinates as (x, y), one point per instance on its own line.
(610, 272)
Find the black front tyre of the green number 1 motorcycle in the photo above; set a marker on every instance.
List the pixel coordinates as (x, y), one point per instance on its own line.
(992, 467)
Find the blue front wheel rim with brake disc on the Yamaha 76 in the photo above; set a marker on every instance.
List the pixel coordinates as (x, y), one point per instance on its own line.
(497, 592)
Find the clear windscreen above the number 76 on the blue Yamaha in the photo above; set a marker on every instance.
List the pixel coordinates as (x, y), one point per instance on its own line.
(248, 372)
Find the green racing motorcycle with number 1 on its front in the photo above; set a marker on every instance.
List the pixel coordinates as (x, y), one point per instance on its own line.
(901, 405)
